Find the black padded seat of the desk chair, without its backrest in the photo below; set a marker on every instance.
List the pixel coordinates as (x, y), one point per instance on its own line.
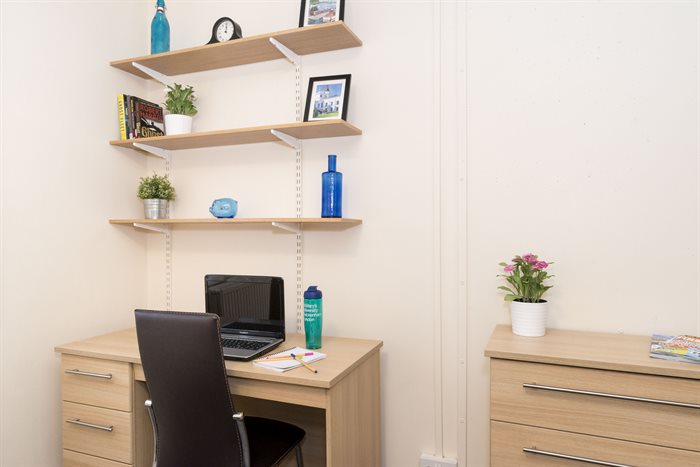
(271, 440)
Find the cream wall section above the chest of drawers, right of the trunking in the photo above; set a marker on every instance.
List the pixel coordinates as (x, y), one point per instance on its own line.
(582, 147)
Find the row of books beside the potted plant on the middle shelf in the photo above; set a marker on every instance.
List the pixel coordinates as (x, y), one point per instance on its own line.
(139, 118)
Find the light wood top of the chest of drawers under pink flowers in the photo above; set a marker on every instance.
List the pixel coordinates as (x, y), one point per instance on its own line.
(620, 352)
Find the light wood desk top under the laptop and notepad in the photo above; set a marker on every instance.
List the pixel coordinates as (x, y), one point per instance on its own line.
(343, 355)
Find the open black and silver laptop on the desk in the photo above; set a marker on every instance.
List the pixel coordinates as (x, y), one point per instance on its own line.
(251, 311)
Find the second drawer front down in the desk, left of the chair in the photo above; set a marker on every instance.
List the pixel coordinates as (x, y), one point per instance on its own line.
(108, 433)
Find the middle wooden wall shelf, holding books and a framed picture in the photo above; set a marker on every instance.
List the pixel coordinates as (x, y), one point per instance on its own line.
(260, 134)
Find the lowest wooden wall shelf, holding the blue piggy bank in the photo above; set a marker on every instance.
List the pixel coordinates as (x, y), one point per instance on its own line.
(285, 223)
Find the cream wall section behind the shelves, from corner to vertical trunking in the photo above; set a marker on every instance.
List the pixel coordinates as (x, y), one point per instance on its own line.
(376, 278)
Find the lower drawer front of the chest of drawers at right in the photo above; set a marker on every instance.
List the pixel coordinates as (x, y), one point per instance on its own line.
(508, 441)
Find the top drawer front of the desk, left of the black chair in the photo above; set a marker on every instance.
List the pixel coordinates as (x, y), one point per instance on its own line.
(93, 381)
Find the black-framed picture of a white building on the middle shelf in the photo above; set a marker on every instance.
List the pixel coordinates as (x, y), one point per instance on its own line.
(327, 98)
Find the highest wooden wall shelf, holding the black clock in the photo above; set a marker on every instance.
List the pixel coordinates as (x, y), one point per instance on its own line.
(254, 49)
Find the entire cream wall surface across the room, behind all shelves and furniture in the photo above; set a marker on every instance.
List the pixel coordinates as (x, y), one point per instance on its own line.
(581, 145)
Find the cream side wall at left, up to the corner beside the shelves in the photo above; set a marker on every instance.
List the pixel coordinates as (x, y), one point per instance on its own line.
(66, 273)
